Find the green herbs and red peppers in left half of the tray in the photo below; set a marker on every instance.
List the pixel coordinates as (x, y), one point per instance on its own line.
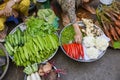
(72, 49)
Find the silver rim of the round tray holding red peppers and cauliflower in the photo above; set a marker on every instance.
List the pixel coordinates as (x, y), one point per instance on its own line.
(80, 60)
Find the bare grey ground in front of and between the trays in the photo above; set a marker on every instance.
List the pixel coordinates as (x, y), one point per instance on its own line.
(106, 68)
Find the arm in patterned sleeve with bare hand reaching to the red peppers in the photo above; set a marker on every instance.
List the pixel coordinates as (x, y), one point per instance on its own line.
(73, 19)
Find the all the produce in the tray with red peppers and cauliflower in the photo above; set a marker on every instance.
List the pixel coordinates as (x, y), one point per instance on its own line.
(93, 45)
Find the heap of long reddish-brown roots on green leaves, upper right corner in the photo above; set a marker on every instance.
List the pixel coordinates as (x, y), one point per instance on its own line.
(109, 18)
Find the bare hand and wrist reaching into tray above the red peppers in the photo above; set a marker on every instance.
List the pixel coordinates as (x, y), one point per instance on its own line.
(78, 34)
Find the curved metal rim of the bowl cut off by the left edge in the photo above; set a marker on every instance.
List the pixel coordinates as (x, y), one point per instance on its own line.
(7, 61)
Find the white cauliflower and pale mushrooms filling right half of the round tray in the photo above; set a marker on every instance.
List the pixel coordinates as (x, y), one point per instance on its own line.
(95, 41)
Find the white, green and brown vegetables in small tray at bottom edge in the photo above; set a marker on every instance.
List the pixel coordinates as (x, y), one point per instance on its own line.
(41, 72)
